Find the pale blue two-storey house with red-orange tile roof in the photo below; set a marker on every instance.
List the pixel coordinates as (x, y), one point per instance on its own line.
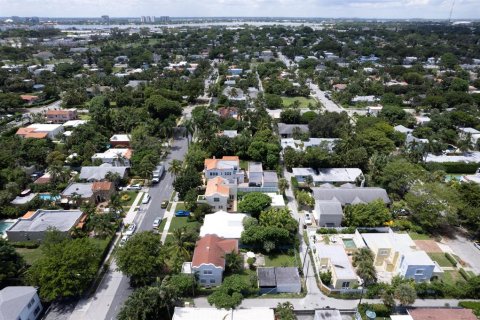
(209, 259)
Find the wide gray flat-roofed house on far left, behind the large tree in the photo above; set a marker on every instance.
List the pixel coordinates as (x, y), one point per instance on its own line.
(33, 225)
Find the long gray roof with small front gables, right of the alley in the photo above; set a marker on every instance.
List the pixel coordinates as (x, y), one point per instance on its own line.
(350, 195)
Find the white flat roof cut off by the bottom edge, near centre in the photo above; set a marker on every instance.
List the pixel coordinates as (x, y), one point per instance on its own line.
(222, 314)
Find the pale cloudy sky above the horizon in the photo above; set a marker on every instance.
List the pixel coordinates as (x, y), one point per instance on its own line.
(388, 9)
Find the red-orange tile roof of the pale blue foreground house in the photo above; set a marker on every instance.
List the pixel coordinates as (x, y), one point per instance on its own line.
(212, 249)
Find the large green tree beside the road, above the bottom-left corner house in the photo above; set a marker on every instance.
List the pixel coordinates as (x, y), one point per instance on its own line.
(66, 269)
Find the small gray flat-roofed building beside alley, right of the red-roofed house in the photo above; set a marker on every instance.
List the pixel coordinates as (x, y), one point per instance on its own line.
(279, 280)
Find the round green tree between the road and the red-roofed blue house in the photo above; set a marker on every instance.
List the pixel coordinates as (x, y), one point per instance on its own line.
(141, 258)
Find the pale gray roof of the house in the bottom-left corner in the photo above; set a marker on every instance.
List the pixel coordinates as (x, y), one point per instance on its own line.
(13, 300)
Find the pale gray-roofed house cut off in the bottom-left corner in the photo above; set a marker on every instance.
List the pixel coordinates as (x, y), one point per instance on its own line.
(19, 303)
